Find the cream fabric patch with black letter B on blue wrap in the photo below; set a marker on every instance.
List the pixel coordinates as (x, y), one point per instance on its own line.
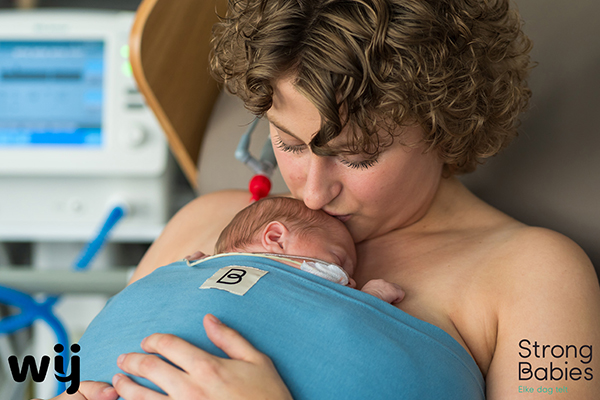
(234, 279)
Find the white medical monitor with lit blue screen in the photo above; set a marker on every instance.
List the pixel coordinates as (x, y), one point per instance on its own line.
(76, 136)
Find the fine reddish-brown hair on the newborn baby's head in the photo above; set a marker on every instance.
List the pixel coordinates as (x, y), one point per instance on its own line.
(245, 227)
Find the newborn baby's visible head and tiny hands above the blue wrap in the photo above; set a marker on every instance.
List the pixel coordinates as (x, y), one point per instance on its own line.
(310, 240)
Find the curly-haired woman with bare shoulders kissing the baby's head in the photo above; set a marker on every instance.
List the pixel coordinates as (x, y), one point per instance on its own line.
(374, 107)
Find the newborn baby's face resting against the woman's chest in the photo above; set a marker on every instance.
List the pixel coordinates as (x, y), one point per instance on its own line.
(330, 242)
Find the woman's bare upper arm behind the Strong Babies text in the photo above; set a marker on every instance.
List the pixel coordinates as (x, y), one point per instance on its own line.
(548, 322)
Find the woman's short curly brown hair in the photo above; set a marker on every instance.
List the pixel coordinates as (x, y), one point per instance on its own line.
(456, 67)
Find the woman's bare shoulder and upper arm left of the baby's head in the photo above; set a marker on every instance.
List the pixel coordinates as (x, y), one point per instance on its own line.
(196, 227)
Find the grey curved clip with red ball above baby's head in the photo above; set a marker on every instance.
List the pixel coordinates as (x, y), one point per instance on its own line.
(260, 184)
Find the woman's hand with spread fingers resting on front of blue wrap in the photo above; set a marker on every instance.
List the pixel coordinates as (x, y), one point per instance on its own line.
(249, 374)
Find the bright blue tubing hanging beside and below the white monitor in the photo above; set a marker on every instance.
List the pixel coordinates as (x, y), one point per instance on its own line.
(32, 310)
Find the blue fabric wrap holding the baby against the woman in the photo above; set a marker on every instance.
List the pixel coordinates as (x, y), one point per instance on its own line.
(327, 341)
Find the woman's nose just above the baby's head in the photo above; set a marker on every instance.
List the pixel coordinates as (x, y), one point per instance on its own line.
(321, 185)
